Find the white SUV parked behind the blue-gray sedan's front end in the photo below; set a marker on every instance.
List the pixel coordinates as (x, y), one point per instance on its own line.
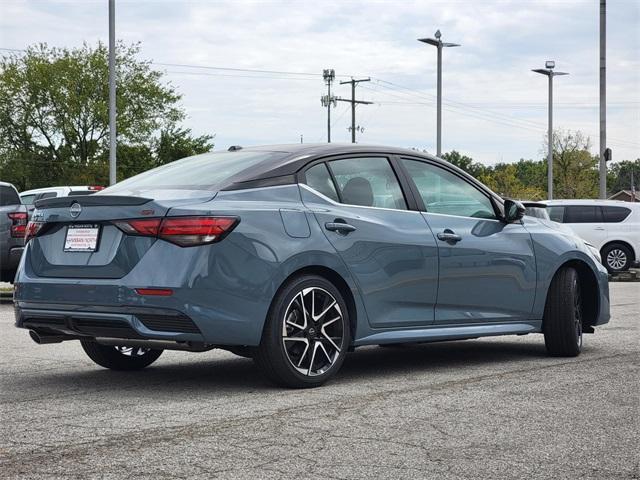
(613, 227)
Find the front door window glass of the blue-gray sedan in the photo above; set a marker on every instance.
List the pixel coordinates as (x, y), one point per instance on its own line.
(445, 193)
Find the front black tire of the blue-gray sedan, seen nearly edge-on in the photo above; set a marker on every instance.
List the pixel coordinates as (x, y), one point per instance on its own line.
(562, 323)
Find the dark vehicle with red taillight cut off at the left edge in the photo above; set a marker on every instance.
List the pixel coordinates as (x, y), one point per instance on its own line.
(13, 224)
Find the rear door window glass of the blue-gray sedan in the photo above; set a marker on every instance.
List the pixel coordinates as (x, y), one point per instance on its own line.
(369, 182)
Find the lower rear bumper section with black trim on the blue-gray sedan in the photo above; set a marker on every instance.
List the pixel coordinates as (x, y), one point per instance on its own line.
(107, 322)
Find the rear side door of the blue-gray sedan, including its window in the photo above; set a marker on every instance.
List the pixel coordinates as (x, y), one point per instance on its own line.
(388, 249)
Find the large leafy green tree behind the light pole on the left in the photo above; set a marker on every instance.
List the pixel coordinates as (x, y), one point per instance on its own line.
(54, 116)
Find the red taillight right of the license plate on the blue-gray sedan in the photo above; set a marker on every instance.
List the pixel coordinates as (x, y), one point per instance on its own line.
(183, 231)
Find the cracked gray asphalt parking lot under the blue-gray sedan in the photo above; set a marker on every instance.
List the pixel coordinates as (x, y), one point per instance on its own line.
(491, 408)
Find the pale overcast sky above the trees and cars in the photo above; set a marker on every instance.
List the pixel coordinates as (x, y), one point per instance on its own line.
(495, 107)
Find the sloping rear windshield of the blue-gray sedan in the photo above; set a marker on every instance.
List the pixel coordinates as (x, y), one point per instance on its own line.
(200, 172)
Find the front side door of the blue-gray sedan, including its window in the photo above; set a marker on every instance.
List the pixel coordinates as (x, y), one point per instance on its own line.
(487, 267)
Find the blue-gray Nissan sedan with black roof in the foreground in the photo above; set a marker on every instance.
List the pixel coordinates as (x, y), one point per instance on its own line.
(294, 256)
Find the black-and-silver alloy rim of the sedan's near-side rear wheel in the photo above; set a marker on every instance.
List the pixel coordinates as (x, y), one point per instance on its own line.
(313, 331)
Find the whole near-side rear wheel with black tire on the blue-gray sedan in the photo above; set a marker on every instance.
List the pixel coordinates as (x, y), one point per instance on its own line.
(287, 366)
